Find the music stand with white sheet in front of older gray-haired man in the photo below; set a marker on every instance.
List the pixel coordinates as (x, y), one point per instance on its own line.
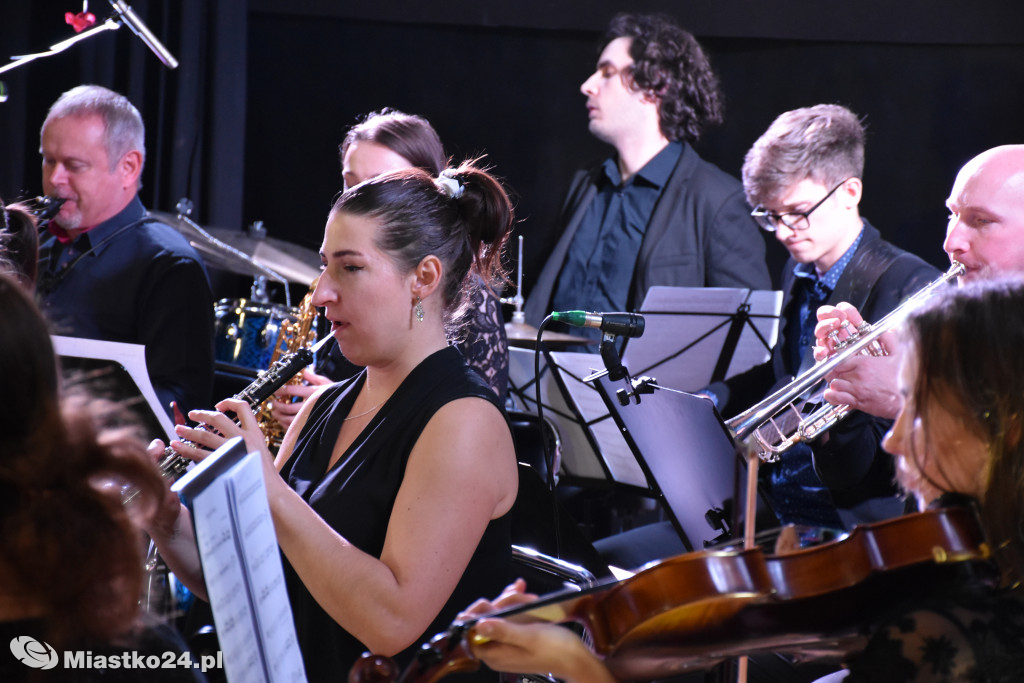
(116, 372)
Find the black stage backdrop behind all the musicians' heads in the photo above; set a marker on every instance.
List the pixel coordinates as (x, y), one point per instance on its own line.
(249, 124)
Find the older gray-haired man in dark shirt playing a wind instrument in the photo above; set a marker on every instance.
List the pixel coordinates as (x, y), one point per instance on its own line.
(108, 270)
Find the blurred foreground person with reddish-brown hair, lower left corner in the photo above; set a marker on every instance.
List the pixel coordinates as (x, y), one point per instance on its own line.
(71, 563)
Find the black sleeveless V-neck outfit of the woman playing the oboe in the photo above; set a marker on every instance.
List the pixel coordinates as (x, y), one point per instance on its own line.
(357, 496)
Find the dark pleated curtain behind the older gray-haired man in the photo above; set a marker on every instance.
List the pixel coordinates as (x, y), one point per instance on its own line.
(195, 115)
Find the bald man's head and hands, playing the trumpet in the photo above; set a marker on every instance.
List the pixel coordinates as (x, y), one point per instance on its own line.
(986, 233)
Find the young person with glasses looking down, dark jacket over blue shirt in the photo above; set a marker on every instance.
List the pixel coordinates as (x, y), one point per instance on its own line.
(804, 178)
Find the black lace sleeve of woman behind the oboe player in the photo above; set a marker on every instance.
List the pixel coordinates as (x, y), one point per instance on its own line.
(486, 346)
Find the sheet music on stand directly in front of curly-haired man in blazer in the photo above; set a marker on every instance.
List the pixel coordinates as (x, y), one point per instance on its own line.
(687, 328)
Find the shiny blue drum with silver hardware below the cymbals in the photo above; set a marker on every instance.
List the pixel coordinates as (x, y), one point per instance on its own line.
(246, 332)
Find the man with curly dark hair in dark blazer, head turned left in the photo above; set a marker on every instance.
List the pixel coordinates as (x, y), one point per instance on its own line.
(655, 214)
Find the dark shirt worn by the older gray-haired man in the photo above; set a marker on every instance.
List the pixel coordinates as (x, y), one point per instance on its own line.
(137, 281)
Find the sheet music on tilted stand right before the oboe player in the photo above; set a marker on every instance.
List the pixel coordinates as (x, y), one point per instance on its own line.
(242, 567)
